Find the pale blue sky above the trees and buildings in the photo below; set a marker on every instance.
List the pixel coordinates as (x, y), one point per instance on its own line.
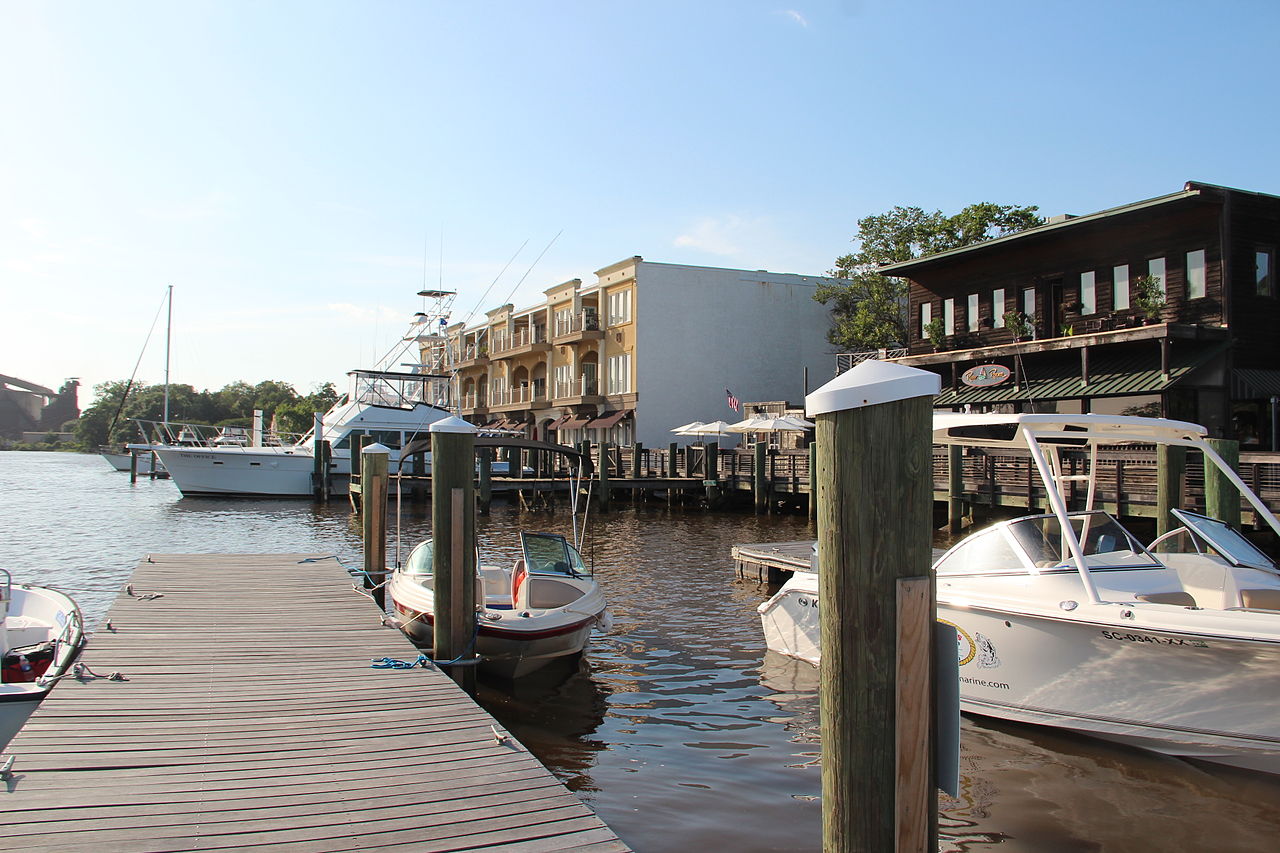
(292, 167)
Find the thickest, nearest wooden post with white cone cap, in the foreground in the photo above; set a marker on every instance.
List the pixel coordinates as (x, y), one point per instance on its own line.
(875, 498)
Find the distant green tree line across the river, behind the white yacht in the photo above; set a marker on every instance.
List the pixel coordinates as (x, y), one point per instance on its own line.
(231, 407)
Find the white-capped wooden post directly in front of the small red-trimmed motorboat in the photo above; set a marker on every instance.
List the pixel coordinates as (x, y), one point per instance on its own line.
(454, 539)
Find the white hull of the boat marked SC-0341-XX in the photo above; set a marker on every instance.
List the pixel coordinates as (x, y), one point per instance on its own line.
(1176, 692)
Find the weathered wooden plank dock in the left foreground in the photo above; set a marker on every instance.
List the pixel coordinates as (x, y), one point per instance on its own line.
(252, 720)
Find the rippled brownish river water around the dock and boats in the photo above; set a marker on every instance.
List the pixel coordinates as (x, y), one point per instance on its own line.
(680, 731)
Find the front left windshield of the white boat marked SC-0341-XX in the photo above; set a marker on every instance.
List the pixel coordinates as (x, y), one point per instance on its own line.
(1036, 544)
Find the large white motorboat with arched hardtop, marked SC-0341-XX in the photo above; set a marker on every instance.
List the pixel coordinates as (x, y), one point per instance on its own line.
(1068, 621)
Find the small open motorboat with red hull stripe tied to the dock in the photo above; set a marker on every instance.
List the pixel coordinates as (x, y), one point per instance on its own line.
(541, 609)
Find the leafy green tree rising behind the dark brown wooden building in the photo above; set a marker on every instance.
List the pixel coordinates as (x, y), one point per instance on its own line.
(870, 309)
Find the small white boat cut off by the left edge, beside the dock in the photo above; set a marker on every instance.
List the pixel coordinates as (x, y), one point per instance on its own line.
(42, 635)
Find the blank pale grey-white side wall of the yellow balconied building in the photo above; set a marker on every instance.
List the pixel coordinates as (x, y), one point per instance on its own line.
(705, 330)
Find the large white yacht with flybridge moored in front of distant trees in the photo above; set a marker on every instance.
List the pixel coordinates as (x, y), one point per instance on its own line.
(391, 407)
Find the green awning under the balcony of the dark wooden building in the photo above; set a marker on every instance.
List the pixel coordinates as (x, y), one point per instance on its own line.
(1112, 375)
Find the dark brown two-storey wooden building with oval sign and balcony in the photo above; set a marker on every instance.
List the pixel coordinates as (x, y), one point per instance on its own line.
(1209, 355)
